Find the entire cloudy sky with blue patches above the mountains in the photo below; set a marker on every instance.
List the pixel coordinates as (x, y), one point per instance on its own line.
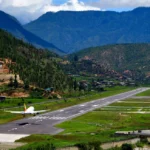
(27, 10)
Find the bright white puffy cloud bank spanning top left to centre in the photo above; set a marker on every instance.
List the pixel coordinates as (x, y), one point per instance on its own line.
(28, 10)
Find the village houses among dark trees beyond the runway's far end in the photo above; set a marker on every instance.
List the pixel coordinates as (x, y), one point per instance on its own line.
(101, 81)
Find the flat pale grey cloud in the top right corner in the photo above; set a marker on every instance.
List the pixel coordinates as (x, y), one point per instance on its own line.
(107, 4)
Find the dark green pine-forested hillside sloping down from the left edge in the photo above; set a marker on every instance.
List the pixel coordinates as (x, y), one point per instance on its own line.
(35, 66)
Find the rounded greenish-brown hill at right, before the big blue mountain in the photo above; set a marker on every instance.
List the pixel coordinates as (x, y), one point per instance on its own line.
(119, 57)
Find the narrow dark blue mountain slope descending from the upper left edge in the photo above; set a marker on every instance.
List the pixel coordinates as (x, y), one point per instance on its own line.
(11, 24)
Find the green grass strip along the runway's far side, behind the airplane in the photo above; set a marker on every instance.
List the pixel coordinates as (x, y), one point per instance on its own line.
(55, 105)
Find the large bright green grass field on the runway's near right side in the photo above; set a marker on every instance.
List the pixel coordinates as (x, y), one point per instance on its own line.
(100, 125)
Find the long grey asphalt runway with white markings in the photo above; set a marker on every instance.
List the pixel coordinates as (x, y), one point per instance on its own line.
(44, 124)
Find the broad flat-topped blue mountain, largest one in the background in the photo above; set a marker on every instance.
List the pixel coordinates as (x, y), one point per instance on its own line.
(72, 31)
